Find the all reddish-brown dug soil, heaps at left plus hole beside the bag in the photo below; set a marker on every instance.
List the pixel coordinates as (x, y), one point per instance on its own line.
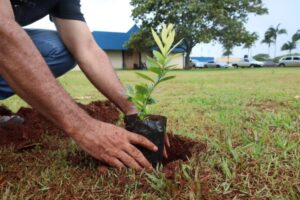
(29, 135)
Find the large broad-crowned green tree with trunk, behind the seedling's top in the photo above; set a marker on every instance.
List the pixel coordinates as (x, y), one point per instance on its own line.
(195, 21)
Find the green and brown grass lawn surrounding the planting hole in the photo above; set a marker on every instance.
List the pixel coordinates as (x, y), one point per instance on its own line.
(249, 119)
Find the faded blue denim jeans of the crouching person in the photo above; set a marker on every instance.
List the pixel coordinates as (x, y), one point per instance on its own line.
(54, 52)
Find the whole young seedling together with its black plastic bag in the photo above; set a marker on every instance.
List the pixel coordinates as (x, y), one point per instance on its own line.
(151, 126)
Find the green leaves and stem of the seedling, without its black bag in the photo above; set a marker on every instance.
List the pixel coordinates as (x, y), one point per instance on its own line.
(141, 94)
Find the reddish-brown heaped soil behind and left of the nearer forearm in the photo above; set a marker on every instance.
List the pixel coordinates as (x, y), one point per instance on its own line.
(35, 124)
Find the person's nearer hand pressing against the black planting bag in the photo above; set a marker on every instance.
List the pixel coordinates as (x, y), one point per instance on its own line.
(114, 145)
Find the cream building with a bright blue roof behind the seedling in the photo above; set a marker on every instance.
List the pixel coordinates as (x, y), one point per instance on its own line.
(113, 43)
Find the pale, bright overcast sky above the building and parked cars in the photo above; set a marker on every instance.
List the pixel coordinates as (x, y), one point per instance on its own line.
(115, 15)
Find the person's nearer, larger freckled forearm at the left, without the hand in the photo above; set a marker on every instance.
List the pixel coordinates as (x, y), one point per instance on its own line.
(22, 66)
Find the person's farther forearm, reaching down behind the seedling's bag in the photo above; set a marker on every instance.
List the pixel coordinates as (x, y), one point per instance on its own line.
(98, 68)
